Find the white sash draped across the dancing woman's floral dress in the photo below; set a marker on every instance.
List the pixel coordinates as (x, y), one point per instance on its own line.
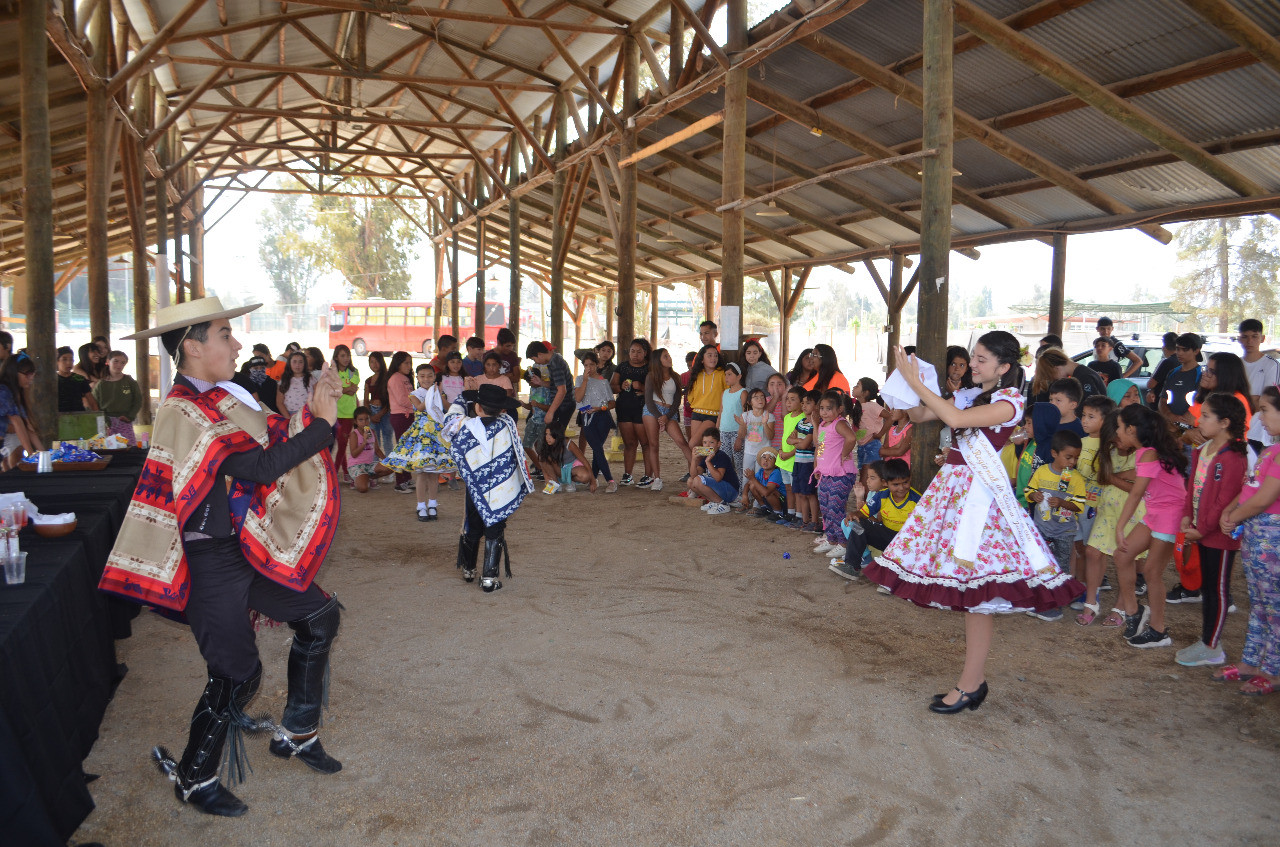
(988, 469)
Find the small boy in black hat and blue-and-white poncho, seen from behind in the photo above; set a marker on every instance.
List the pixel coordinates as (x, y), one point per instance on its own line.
(490, 457)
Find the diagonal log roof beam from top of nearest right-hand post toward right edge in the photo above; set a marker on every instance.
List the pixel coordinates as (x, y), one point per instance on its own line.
(1127, 115)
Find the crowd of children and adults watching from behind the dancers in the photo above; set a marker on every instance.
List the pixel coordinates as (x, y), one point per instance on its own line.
(1101, 474)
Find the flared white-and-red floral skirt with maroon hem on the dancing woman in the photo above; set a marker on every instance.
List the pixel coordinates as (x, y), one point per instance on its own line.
(920, 566)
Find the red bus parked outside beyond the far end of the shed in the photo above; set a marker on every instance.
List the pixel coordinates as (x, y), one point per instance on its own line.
(390, 326)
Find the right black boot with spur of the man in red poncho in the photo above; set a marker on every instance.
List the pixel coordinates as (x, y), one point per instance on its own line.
(309, 690)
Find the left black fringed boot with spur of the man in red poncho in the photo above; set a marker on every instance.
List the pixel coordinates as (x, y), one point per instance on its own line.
(220, 713)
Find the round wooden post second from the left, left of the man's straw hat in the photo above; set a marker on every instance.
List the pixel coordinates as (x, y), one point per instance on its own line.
(98, 135)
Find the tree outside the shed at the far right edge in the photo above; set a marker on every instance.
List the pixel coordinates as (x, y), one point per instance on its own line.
(1233, 271)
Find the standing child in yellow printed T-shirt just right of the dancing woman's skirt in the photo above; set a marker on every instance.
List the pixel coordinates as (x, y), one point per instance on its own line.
(1058, 495)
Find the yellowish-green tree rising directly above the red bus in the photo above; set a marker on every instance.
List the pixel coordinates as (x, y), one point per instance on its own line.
(367, 240)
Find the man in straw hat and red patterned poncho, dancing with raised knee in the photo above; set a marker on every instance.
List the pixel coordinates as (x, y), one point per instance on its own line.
(235, 511)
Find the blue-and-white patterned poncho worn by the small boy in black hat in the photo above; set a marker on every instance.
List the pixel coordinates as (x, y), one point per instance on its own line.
(491, 461)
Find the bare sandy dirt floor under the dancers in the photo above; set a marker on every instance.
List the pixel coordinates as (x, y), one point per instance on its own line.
(655, 676)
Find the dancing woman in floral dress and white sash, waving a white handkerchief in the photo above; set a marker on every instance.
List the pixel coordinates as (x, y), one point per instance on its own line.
(968, 546)
